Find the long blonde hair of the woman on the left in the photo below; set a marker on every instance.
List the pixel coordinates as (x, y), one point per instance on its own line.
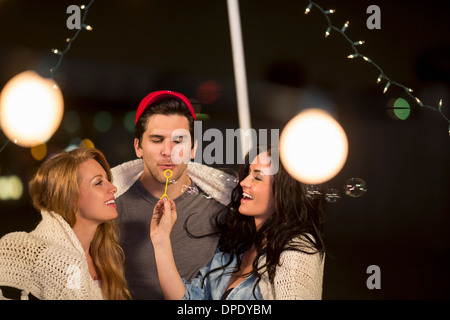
(55, 188)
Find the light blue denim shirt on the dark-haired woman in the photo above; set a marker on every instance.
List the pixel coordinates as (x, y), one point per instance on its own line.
(216, 283)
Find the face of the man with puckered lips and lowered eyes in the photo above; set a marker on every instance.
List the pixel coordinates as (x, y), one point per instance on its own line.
(165, 141)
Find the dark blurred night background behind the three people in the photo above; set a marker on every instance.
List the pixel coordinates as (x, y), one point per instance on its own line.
(400, 224)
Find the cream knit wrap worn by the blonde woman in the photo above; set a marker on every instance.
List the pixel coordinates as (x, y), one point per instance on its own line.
(48, 262)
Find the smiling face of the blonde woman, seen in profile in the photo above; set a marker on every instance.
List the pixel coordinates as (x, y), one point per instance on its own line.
(96, 203)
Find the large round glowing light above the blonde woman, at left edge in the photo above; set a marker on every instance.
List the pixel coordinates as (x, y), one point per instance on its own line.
(31, 109)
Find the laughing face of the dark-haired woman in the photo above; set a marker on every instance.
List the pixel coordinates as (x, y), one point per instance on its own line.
(257, 200)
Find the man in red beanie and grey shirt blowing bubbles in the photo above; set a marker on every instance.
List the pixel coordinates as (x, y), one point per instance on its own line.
(164, 139)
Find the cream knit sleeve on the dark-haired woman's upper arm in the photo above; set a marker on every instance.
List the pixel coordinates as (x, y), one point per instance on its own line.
(299, 276)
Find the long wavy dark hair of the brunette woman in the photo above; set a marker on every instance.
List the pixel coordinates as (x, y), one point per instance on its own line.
(296, 223)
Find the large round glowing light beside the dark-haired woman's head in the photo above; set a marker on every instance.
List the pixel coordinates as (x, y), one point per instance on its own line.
(313, 146)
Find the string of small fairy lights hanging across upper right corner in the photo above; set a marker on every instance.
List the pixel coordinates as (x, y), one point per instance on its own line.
(383, 77)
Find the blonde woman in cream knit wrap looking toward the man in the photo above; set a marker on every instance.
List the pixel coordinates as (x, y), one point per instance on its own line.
(74, 252)
